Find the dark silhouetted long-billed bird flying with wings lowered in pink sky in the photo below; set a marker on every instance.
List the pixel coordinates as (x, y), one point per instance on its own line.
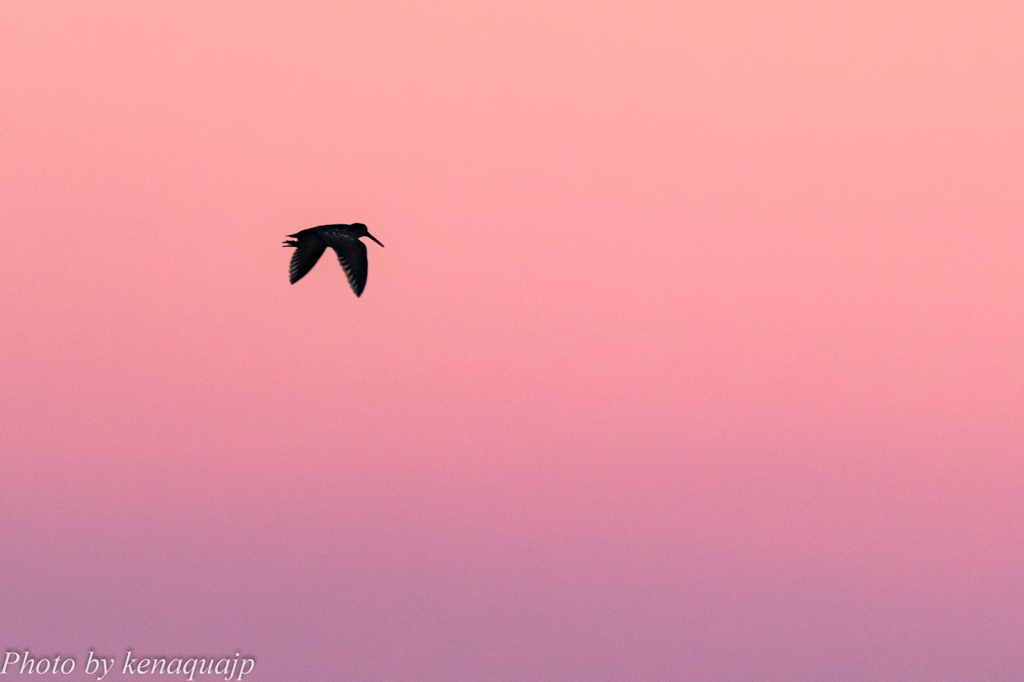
(310, 245)
